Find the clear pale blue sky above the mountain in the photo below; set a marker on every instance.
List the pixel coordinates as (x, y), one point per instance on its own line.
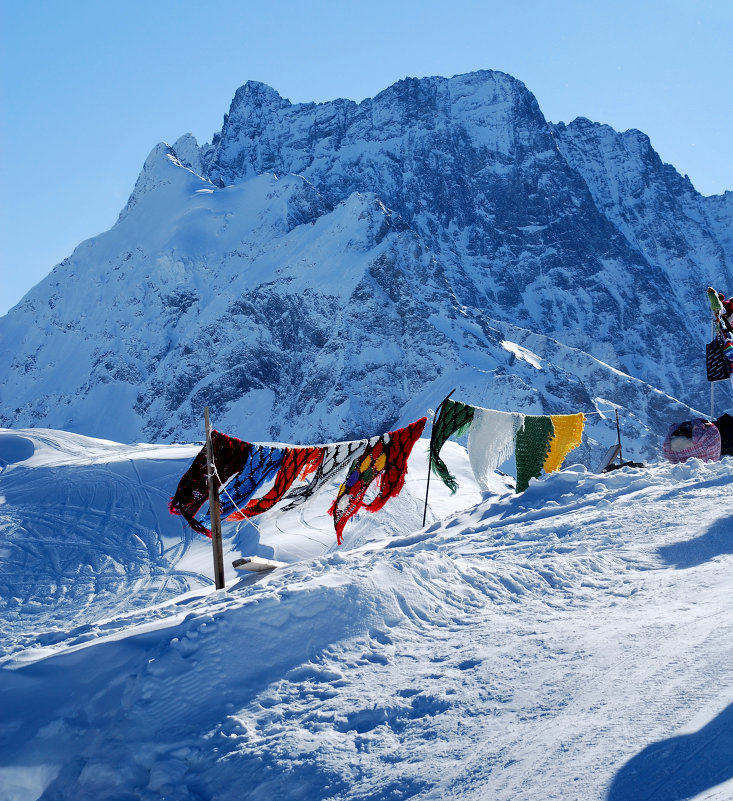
(88, 88)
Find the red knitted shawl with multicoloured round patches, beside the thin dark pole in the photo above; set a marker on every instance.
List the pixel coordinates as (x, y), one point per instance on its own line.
(383, 462)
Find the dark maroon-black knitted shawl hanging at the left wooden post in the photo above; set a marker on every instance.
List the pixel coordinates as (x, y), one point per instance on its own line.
(230, 456)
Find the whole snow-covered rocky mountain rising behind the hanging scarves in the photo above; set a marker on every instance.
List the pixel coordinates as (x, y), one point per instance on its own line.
(322, 271)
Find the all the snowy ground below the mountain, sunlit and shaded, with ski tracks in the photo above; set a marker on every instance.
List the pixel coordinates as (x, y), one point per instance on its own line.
(572, 642)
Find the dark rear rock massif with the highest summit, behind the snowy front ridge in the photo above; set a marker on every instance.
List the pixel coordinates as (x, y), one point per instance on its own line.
(513, 207)
